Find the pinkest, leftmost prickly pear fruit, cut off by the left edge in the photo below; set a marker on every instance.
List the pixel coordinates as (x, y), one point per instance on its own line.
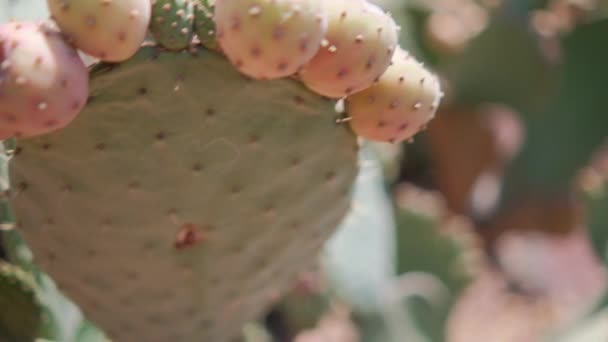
(43, 81)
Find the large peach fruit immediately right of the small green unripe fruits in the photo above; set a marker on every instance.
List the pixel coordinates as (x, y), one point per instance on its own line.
(270, 39)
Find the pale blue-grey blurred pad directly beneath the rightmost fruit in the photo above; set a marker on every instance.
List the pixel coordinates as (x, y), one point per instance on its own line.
(360, 258)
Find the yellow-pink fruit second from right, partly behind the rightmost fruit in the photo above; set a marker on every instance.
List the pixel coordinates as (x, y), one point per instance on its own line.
(358, 47)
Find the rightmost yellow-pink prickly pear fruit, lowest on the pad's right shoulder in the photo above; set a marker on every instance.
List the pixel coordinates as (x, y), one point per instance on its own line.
(399, 105)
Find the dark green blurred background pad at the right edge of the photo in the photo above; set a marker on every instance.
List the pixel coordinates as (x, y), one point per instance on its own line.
(562, 137)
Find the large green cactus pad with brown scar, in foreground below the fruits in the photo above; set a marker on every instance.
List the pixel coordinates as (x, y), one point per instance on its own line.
(183, 196)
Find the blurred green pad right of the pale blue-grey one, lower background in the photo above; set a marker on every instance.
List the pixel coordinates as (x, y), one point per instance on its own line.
(424, 249)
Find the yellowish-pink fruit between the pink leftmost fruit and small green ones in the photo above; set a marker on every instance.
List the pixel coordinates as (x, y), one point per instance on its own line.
(110, 30)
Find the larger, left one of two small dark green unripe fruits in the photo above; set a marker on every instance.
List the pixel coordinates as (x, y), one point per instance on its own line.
(172, 23)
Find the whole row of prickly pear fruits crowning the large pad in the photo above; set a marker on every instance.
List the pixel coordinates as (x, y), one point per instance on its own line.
(339, 49)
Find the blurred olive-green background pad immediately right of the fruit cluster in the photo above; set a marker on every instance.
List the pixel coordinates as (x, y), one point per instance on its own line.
(504, 64)
